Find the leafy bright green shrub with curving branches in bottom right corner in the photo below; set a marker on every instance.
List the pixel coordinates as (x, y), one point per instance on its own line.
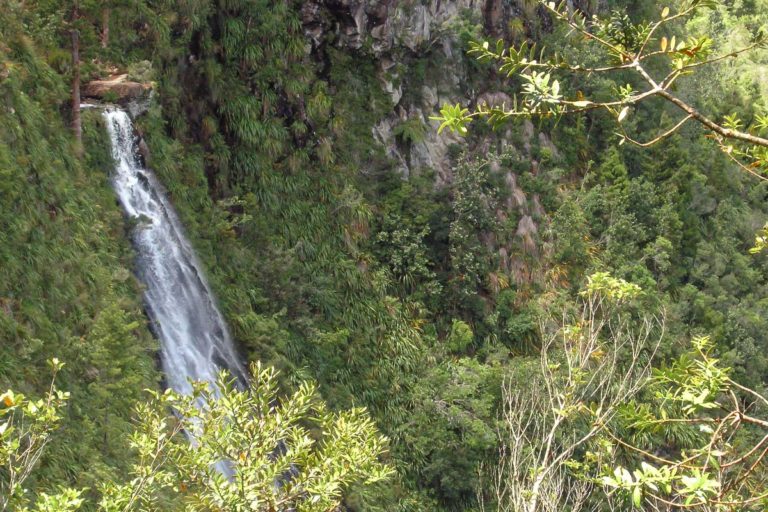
(721, 467)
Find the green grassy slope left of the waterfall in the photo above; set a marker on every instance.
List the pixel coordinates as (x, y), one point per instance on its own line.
(66, 285)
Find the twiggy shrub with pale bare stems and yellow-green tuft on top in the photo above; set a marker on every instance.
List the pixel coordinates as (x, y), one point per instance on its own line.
(587, 369)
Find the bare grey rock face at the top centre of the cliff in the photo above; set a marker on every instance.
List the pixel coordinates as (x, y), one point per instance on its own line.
(398, 33)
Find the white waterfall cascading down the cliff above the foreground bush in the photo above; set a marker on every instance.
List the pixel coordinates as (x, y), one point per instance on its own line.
(195, 342)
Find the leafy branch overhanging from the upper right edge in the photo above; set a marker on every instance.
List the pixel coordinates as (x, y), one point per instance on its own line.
(648, 53)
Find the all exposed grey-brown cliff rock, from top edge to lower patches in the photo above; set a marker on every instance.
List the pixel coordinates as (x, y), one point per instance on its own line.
(401, 35)
